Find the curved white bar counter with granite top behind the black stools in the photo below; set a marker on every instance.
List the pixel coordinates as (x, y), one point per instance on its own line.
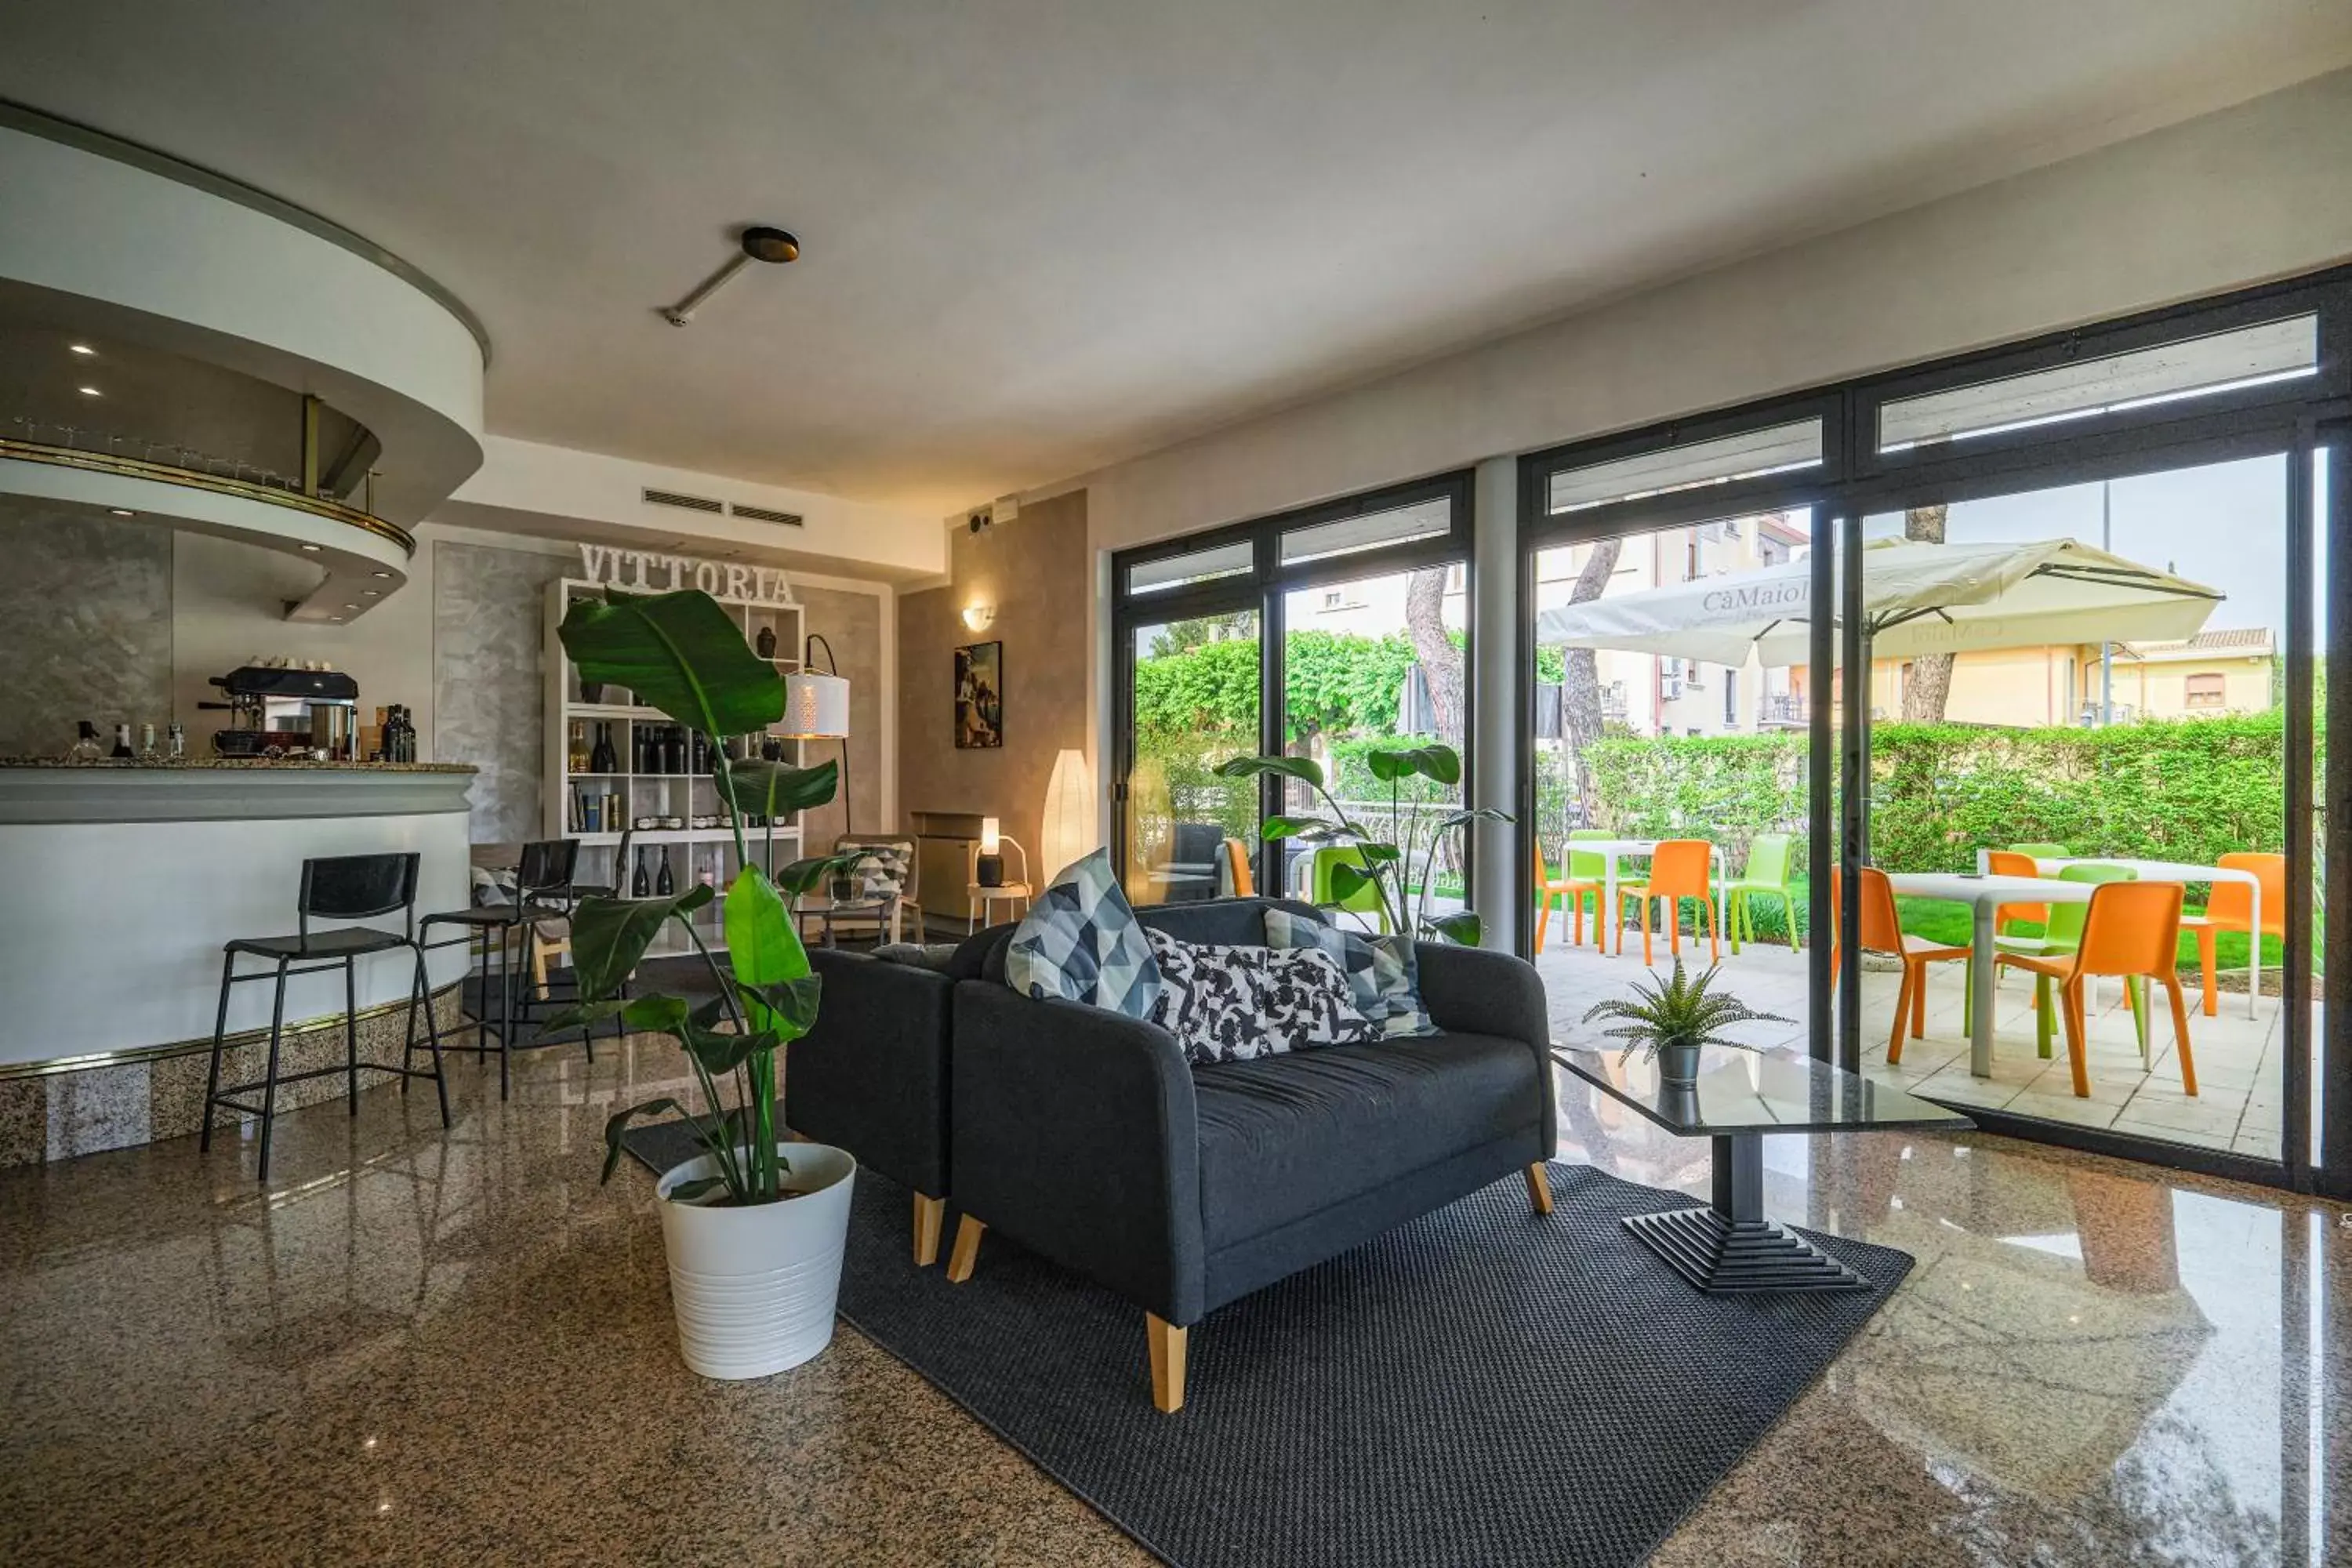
(121, 883)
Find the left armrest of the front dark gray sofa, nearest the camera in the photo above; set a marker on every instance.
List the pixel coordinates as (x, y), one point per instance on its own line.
(1074, 1132)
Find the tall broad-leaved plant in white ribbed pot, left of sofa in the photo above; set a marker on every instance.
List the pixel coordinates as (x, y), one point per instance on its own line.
(754, 1226)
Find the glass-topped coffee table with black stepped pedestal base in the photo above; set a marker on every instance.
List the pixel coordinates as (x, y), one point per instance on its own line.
(1739, 1099)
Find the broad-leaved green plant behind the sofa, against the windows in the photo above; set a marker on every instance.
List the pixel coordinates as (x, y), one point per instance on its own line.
(1379, 866)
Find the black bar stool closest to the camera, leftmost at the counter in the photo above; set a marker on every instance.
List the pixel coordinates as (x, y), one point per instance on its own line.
(340, 887)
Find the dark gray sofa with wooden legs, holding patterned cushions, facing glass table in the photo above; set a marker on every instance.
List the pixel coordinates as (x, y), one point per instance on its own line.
(1085, 1137)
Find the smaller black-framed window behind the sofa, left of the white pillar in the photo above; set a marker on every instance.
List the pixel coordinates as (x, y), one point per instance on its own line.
(1323, 634)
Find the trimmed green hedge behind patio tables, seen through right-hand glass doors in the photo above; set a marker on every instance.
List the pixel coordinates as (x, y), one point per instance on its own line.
(2163, 789)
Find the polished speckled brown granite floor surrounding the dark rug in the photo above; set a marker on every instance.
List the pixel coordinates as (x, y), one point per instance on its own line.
(455, 1348)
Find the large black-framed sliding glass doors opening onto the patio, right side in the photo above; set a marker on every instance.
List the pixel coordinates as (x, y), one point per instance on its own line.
(2047, 612)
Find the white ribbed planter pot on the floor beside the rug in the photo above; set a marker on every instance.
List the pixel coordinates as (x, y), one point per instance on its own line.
(756, 1287)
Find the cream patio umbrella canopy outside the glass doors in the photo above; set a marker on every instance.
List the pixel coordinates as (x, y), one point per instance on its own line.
(1920, 598)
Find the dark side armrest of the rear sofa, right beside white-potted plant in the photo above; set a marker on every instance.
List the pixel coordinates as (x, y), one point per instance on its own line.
(871, 1076)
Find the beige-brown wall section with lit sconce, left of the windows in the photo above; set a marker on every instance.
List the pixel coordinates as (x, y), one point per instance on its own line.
(1038, 575)
